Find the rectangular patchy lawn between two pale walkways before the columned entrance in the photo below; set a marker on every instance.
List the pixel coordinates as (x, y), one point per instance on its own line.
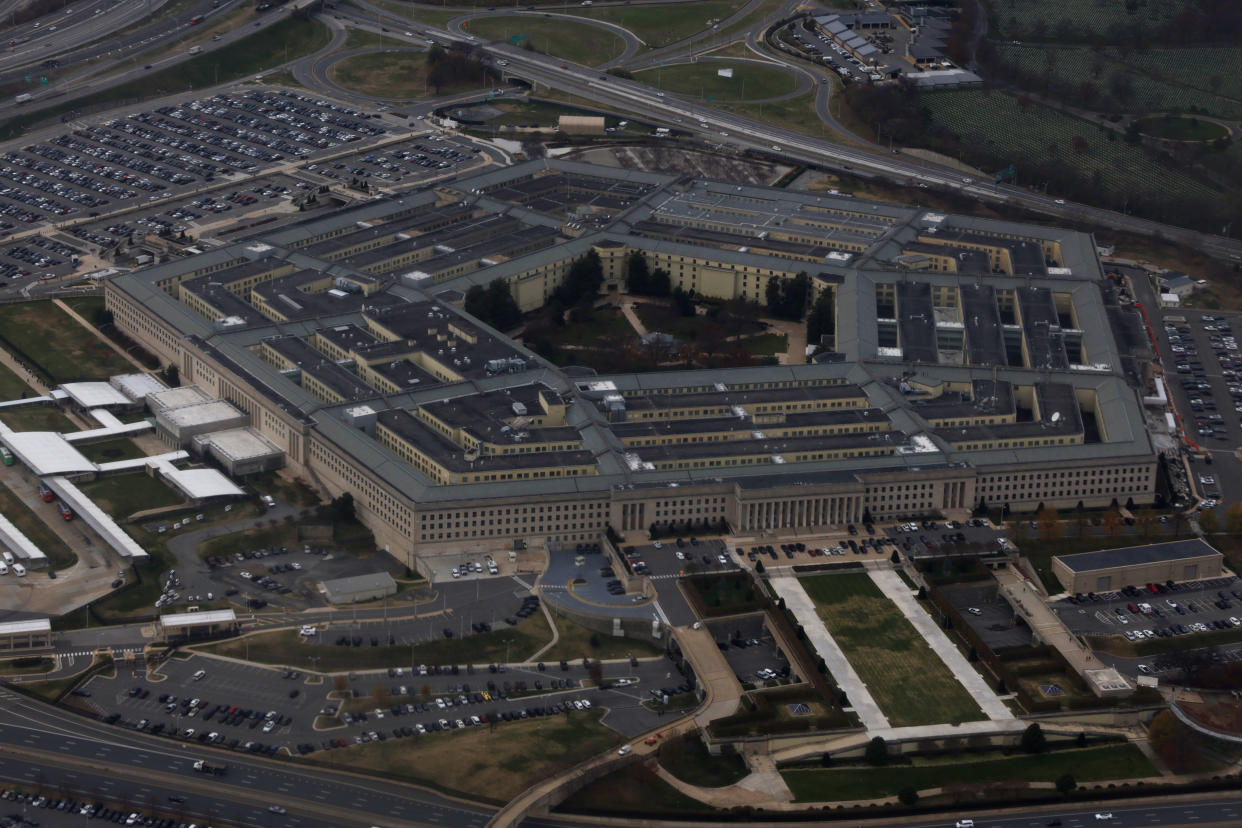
(910, 682)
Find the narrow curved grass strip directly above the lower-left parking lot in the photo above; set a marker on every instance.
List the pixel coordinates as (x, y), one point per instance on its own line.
(286, 647)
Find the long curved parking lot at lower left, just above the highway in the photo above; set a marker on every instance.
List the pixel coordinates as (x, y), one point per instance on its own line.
(261, 709)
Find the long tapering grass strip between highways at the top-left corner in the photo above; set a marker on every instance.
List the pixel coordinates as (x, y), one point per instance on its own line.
(268, 49)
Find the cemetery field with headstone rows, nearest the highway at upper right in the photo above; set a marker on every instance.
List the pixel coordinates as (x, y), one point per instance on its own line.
(998, 124)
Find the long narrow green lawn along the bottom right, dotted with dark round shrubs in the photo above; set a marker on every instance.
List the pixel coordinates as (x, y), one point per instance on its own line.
(1086, 765)
